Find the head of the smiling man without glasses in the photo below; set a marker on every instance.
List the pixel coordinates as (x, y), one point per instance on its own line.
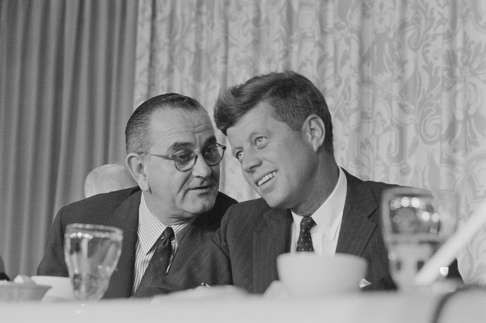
(280, 130)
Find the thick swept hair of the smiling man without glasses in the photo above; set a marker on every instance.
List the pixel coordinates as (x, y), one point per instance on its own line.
(292, 95)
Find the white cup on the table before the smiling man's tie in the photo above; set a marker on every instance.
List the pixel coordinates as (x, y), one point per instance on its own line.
(309, 274)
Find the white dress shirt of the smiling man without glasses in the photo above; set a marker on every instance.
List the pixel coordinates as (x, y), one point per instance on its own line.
(328, 218)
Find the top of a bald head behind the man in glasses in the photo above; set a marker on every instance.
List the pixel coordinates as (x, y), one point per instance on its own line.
(107, 178)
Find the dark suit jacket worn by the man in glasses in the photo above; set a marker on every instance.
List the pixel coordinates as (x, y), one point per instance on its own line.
(120, 209)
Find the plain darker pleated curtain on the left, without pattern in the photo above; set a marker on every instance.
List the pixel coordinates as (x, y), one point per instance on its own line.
(66, 91)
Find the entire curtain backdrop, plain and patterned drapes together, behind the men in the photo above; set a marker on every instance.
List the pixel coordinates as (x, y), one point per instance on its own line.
(405, 82)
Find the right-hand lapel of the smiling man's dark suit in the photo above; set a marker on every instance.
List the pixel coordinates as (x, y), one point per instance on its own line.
(357, 225)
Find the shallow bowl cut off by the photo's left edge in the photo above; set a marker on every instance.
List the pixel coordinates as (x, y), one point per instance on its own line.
(18, 292)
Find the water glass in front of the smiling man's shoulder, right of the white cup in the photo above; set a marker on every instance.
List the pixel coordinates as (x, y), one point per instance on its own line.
(415, 222)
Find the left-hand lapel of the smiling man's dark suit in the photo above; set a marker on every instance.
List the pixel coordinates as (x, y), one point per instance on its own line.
(270, 239)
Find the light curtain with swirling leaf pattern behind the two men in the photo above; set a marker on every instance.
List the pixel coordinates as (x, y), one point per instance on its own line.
(405, 80)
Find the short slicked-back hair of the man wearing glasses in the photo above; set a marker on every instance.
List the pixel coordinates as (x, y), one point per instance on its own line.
(136, 131)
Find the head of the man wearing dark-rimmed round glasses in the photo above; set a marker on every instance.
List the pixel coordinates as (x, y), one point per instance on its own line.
(173, 155)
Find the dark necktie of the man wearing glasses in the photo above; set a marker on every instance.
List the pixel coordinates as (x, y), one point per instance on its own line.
(157, 267)
